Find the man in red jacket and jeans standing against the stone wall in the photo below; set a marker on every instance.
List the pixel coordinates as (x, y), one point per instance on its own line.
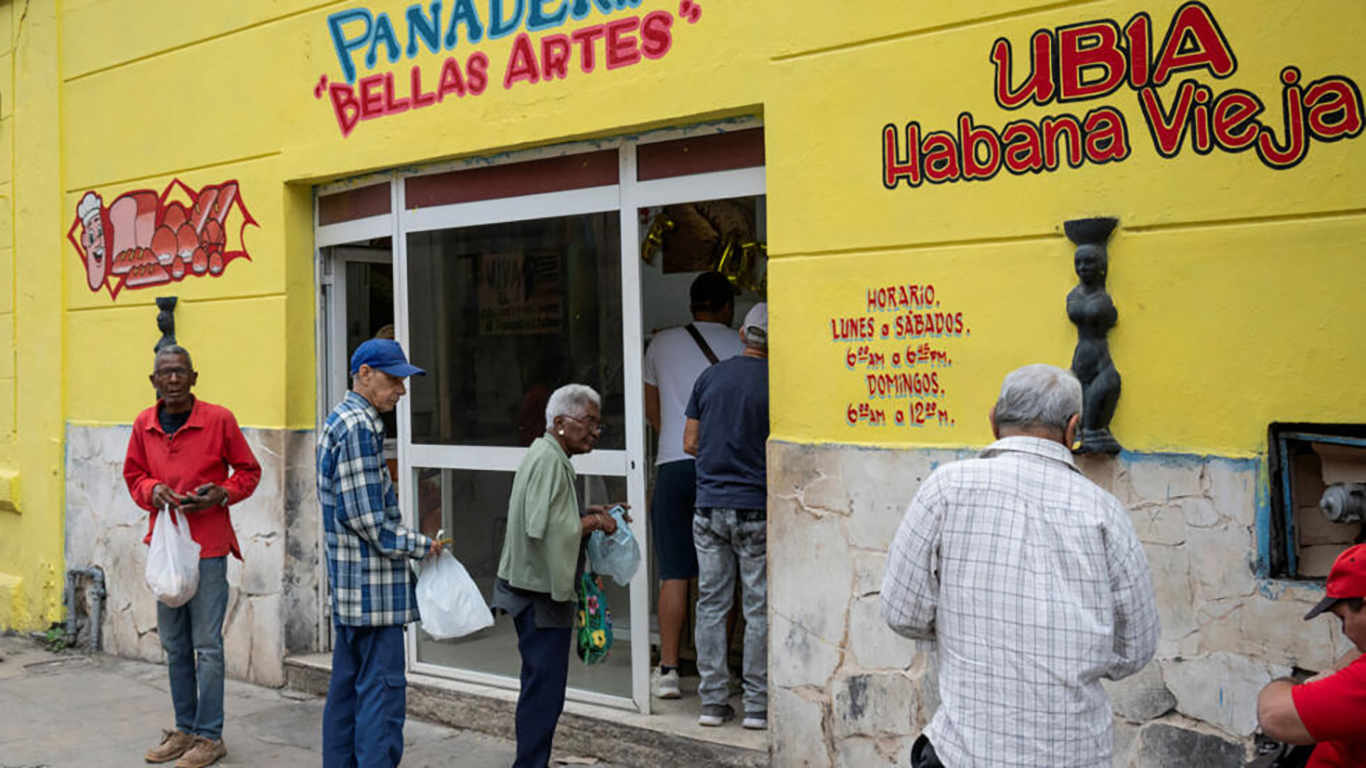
(178, 460)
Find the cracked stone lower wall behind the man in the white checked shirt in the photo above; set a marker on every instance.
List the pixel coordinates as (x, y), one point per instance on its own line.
(848, 692)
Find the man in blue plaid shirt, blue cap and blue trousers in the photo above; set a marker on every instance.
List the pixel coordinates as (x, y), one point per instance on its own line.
(368, 551)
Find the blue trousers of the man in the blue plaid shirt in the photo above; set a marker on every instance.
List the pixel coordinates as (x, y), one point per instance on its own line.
(363, 722)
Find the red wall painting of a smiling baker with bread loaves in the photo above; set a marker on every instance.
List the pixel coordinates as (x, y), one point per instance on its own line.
(145, 240)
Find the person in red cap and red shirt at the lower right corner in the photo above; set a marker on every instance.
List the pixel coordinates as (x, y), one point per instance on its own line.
(1328, 710)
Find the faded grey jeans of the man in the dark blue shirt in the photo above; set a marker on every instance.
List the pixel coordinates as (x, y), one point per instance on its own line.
(731, 543)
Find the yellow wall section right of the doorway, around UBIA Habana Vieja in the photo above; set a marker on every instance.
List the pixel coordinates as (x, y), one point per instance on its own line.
(1236, 284)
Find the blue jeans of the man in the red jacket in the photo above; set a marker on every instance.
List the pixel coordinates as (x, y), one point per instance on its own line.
(193, 640)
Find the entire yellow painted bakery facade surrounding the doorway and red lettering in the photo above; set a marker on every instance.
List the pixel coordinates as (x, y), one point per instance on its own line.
(1236, 284)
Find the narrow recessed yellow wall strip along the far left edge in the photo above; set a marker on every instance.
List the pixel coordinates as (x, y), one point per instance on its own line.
(32, 333)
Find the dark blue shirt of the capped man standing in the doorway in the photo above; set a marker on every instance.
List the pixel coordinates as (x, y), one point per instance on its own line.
(730, 402)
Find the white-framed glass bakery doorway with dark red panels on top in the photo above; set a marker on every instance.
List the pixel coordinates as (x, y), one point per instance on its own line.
(506, 281)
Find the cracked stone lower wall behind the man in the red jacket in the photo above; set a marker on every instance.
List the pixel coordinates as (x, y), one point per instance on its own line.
(274, 592)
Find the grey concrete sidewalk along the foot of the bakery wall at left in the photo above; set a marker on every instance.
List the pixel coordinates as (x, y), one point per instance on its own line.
(102, 713)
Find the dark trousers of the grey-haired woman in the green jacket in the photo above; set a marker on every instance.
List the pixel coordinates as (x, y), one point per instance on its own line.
(546, 672)
